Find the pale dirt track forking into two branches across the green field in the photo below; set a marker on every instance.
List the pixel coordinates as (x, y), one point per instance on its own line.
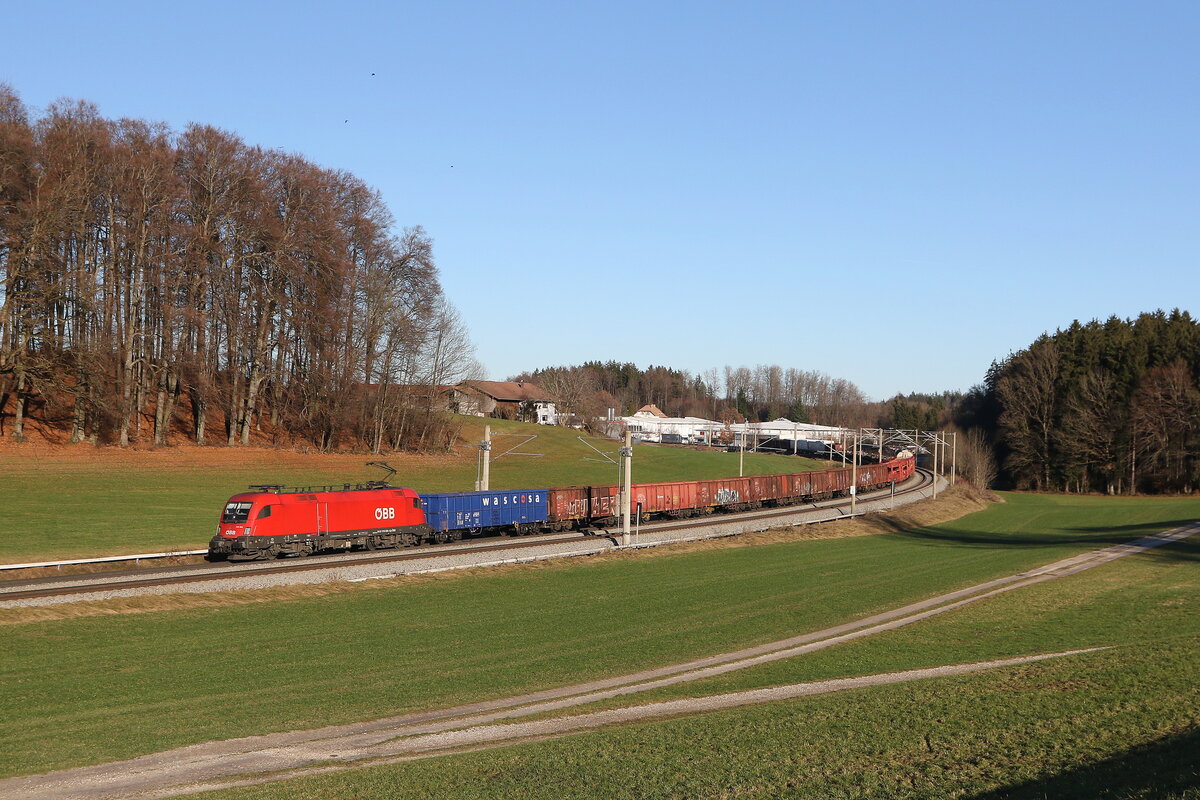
(260, 760)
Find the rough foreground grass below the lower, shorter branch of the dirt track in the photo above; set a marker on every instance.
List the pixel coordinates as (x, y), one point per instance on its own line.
(1112, 726)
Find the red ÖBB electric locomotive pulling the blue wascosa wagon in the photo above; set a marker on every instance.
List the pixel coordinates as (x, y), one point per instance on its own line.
(271, 522)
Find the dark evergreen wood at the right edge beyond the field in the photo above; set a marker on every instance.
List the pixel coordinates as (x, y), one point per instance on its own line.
(1100, 407)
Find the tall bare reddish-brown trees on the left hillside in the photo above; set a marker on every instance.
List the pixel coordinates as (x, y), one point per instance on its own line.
(155, 282)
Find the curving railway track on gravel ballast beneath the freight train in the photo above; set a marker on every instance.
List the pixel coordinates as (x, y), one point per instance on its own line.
(128, 580)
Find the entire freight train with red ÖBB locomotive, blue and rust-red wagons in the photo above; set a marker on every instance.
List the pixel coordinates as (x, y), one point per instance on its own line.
(268, 522)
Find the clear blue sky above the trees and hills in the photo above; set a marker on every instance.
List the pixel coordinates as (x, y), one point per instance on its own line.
(896, 194)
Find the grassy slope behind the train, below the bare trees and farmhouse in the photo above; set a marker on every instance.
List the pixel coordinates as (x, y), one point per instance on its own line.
(80, 502)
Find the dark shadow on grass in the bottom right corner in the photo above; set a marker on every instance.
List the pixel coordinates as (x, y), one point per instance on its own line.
(1166, 768)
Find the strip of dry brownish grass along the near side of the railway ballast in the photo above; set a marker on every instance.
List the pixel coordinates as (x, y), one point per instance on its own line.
(956, 503)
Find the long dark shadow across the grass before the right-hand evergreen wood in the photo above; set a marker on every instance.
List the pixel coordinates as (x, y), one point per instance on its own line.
(1099, 537)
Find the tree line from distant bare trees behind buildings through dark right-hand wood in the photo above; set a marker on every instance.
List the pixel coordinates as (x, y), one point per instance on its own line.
(1109, 407)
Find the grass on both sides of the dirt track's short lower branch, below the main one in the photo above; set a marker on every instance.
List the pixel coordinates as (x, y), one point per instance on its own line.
(1115, 725)
